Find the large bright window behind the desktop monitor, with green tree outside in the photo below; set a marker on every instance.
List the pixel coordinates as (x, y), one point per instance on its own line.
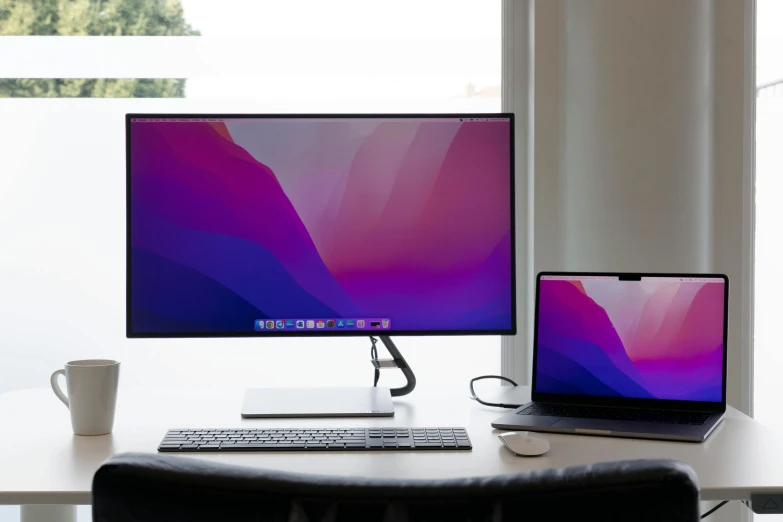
(63, 94)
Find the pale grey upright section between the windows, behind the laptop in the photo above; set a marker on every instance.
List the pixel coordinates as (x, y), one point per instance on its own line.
(636, 124)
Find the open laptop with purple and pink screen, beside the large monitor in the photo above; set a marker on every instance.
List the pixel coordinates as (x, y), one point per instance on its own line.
(627, 355)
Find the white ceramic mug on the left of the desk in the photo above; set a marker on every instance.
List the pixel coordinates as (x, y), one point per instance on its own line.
(92, 394)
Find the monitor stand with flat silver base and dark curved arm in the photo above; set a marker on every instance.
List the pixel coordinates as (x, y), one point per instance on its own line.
(332, 402)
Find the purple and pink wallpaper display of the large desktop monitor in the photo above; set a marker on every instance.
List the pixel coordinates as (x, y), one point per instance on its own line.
(237, 220)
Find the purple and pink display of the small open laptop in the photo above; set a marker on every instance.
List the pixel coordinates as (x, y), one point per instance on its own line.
(658, 338)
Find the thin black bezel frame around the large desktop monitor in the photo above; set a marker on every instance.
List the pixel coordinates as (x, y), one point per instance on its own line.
(296, 333)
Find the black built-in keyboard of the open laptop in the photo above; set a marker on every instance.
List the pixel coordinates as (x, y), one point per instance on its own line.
(694, 418)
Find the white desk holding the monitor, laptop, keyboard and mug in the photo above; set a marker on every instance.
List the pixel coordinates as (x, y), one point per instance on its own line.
(42, 462)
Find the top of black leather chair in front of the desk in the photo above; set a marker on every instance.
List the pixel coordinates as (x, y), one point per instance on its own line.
(157, 488)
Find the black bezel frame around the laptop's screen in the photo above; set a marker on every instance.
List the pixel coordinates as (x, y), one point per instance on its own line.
(668, 404)
